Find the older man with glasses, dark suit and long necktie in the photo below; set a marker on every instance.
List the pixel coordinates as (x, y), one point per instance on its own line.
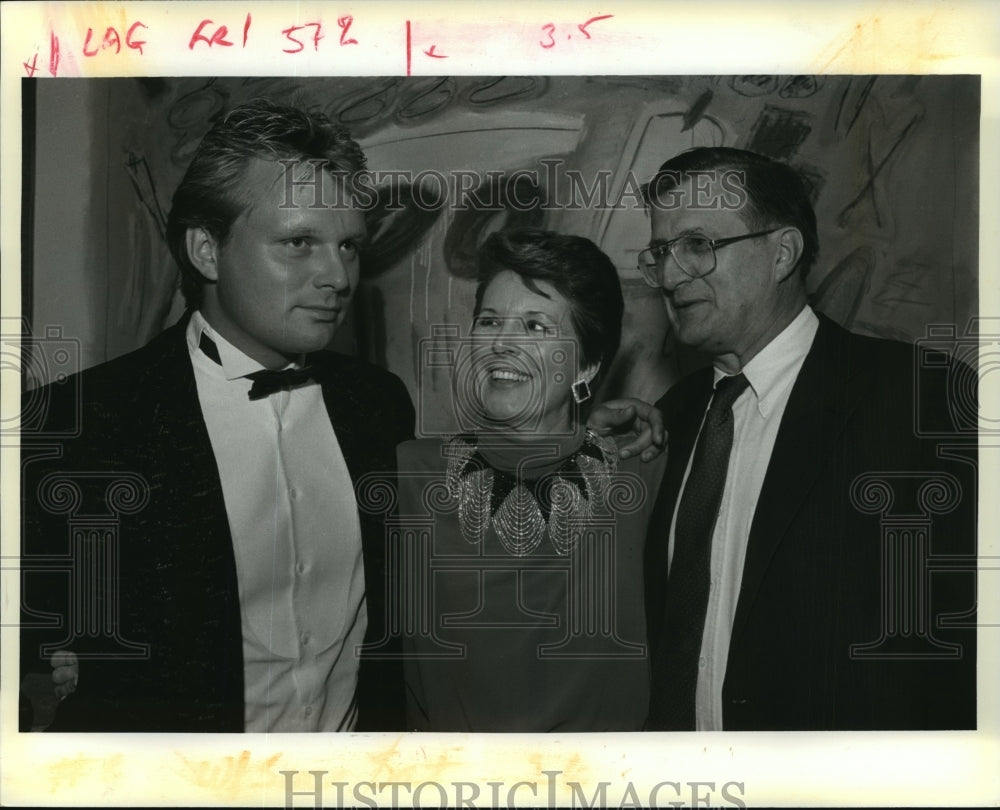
(776, 598)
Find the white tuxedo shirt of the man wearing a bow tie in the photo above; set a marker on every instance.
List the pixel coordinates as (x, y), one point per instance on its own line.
(297, 540)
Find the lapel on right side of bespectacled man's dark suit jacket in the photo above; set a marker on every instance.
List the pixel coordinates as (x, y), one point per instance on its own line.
(828, 389)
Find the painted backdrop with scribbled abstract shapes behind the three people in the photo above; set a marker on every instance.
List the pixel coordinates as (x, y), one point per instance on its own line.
(891, 162)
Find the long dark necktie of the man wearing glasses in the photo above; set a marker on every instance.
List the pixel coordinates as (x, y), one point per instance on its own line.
(688, 583)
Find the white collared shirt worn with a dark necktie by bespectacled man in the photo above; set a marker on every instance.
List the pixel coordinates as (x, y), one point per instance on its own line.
(756, 416)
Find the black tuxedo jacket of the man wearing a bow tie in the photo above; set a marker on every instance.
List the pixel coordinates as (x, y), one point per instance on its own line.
(137, 420)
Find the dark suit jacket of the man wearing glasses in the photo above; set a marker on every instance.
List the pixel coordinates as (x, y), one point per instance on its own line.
(821, 578)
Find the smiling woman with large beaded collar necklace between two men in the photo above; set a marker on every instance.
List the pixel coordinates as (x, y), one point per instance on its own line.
(523, 537)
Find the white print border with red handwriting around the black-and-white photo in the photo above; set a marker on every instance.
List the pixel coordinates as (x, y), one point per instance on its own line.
(789, 769)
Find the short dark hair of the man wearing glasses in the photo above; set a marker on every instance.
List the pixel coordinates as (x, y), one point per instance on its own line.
(775, 193)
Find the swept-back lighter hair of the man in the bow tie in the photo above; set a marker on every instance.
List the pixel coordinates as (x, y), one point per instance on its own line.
(212, 193)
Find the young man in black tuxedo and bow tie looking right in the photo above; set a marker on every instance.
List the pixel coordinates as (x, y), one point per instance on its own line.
(247, 570)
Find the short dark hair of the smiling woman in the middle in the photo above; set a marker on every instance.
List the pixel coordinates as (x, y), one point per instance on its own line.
(580, 272)
